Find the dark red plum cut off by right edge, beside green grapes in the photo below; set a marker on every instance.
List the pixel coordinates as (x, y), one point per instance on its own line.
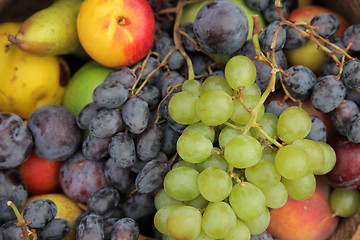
(346, 172)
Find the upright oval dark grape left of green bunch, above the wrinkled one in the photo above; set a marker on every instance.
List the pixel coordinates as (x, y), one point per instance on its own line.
(149, 142)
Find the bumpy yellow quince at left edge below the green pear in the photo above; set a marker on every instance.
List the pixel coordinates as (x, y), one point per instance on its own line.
(27, 81)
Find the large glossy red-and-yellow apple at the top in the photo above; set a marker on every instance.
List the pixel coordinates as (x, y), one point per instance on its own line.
(116, 33)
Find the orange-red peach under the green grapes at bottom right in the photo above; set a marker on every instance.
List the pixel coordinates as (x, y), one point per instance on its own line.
(310, 219)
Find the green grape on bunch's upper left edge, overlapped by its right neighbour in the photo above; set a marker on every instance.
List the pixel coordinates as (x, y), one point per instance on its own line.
(182, 108)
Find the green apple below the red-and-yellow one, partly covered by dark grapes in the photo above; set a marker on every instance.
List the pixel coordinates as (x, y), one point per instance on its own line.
(79, 91)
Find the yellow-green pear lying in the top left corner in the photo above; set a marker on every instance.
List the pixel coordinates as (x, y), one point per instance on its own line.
(50, 31)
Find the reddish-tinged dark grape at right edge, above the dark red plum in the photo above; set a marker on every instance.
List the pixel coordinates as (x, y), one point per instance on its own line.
(342, 114)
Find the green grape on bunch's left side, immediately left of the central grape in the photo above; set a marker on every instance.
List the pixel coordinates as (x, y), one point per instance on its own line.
(194, 147)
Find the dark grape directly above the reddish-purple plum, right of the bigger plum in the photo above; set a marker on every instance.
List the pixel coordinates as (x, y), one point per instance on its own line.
(95, 148)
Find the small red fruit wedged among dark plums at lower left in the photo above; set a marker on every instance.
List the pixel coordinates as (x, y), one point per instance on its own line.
(40, 175)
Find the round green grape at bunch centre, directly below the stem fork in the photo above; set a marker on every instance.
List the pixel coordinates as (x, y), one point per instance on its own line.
(243, 151)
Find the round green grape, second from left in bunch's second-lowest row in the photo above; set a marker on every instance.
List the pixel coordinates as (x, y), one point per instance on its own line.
(214, 184)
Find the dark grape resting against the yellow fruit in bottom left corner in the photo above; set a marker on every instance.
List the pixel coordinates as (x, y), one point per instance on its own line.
(40, 212)
